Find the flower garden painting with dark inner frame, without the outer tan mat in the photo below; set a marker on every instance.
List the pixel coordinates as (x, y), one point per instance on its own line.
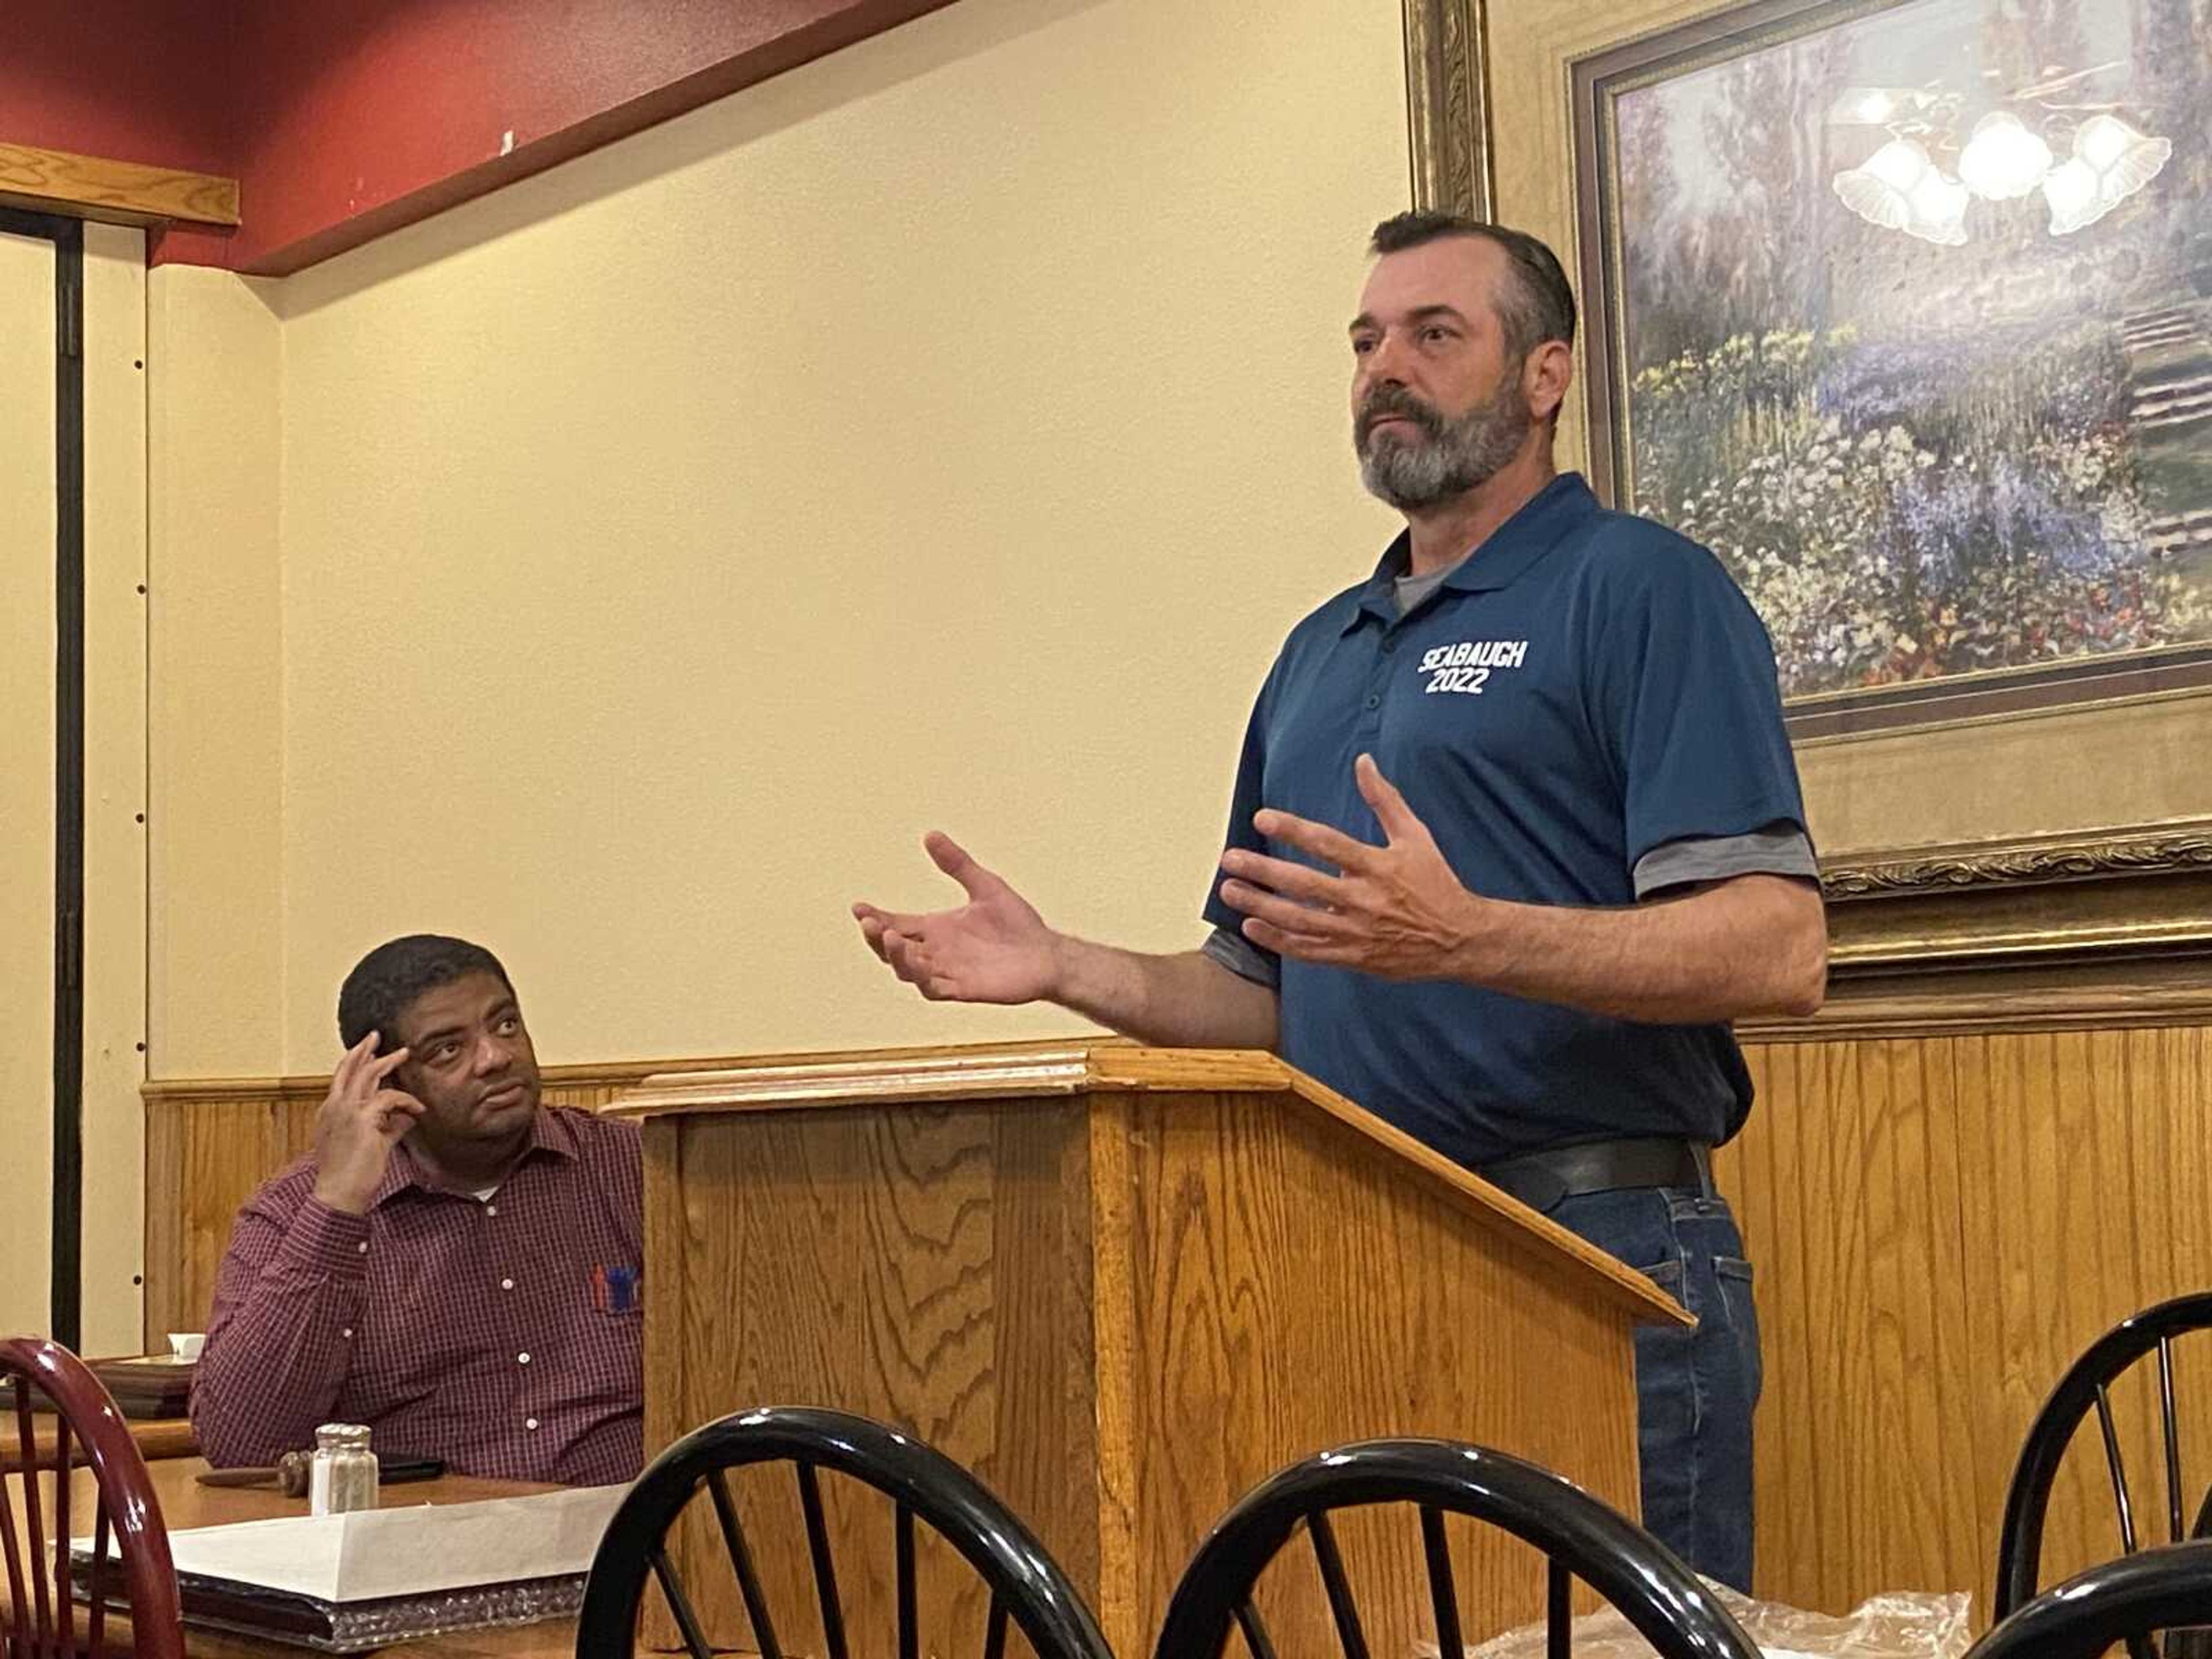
(1908, 317)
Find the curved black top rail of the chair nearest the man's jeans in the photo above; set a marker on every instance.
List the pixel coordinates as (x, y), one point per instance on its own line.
(1605, 1550)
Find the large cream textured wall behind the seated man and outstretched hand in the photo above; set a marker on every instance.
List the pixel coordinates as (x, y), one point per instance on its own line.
(941, 435)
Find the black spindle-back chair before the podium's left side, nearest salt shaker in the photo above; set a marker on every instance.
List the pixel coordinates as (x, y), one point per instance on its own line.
(924, 1485)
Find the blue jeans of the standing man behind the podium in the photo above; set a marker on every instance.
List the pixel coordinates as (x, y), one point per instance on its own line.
(1695, 1388)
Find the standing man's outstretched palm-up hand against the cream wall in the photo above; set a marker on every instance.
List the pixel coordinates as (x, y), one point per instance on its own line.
(992, 950)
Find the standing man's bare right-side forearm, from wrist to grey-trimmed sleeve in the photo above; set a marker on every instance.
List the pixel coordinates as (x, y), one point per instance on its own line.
(1742, 948)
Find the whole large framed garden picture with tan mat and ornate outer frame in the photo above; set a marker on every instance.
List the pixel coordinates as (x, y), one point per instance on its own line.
(1970, 461)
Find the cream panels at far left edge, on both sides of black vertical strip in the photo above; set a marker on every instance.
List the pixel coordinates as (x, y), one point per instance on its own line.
(114, 930)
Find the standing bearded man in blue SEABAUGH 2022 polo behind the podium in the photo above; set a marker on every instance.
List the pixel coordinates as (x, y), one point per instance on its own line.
(1516, 837)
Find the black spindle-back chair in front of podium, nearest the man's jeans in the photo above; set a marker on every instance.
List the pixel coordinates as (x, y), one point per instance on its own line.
(1578, 1536)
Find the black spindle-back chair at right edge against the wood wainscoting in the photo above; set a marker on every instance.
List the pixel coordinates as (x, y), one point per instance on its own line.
(2087, 1388)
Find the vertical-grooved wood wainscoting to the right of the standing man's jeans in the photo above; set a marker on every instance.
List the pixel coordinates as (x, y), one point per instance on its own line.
(1941, 1227)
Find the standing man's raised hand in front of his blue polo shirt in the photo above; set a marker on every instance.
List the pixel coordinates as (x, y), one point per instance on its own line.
(1392, 910)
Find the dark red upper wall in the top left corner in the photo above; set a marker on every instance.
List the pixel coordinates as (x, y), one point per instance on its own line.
(348, 118)
